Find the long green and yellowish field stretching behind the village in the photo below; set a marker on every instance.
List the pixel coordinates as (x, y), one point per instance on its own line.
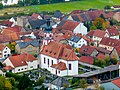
(64, 7)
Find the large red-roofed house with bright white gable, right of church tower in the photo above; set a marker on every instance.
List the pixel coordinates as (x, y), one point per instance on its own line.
(71, 26)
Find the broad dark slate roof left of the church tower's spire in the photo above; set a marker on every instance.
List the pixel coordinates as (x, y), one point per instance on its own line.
(36, 24)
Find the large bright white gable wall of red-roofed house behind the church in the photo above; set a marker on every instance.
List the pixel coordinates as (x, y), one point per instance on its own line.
(81, 29)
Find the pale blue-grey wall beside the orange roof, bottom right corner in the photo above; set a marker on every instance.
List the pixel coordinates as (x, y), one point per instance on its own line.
(110, 86)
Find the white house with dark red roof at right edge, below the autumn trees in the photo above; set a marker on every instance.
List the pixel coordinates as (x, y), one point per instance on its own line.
(113, 32)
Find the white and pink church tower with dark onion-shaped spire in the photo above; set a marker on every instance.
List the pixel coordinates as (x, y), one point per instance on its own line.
(48, 35)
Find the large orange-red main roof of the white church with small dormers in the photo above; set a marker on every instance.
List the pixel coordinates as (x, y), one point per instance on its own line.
(59, 50)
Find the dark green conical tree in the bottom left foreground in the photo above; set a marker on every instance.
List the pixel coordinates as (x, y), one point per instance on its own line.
(24, 82)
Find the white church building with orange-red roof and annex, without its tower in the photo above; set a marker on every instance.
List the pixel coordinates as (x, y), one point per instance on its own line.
(59, 59)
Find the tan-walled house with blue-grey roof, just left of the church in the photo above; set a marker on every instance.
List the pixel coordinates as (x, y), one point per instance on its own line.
(31, 47)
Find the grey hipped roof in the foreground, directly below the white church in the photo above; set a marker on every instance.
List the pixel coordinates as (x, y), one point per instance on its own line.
(60, 81)
